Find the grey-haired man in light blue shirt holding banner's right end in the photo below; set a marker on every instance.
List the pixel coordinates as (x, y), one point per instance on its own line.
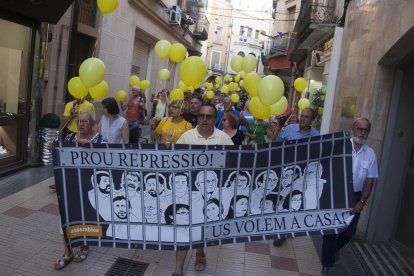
(365, 171)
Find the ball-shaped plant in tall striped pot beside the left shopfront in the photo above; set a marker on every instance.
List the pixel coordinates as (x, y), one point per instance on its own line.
(49, 125)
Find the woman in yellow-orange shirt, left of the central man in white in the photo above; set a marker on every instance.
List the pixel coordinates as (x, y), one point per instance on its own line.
(171, 128)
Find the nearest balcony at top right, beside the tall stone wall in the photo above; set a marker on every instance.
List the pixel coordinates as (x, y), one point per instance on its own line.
(314, 26)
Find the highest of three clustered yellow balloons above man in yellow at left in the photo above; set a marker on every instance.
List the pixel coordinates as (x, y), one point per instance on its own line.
(92, 72)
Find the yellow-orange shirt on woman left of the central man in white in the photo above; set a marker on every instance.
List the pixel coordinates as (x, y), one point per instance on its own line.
(167, 129)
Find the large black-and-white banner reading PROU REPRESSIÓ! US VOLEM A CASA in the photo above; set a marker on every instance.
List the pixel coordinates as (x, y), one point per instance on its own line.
(158, 197)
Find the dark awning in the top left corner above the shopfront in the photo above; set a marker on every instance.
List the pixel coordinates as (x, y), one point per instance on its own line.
(49, 11)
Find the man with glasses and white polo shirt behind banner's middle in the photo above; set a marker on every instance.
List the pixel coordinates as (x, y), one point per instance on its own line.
(204, 134)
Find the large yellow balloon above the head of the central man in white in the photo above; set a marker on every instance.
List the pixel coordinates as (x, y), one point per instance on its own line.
(192, 70)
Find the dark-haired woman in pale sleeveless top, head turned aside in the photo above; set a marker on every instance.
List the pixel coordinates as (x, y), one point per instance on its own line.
(113, 127)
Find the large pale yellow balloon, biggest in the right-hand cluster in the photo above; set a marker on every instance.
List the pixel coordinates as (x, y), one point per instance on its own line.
(271, 89)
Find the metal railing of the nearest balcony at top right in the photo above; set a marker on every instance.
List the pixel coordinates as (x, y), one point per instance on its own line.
(317, 12)
